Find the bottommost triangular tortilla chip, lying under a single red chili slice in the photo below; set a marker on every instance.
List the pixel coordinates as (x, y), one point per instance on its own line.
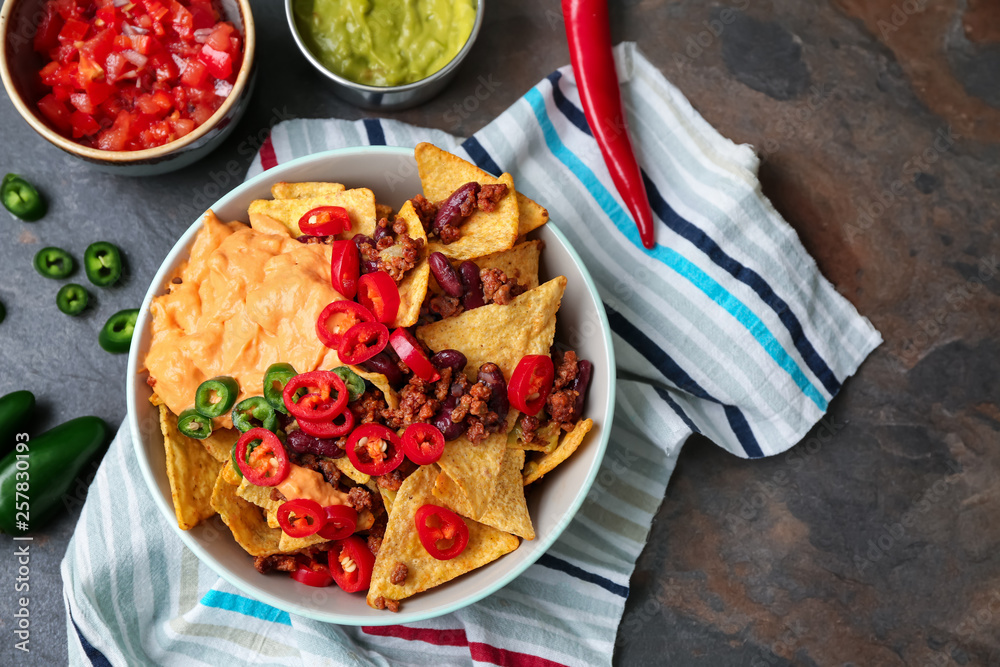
(401, 545)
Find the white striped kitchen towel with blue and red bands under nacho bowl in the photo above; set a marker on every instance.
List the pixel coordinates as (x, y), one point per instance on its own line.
(726, 328)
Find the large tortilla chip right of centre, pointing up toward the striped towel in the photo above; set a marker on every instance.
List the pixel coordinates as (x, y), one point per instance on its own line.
(500, 334)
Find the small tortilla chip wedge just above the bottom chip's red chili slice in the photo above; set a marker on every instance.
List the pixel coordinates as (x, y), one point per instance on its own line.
(474, 469)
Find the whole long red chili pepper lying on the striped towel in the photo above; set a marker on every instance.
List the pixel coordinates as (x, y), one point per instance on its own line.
(589, 35)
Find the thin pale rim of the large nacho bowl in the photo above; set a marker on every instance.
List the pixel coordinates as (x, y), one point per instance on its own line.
(166, 509)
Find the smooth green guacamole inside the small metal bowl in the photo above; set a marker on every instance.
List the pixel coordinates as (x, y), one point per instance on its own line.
(385, 42)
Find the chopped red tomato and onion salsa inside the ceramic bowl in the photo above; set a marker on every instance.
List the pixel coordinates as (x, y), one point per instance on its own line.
(125, 76)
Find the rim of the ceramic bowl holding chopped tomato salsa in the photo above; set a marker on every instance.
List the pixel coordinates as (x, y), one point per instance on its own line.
(129, 157)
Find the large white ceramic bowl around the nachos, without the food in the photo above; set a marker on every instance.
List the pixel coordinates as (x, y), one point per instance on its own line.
(392, 174)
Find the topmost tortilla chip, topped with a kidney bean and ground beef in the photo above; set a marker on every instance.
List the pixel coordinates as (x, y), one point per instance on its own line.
(441, 173)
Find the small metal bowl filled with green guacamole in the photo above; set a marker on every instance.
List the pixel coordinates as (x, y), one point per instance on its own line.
(385, 54)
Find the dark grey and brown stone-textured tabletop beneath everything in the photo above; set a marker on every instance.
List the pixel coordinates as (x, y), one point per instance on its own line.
(874, 542)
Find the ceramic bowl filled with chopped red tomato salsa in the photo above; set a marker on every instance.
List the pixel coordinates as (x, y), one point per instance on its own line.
(136, 87)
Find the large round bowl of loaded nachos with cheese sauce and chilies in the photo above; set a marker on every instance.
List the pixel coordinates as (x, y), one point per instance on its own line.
(371, 380)
